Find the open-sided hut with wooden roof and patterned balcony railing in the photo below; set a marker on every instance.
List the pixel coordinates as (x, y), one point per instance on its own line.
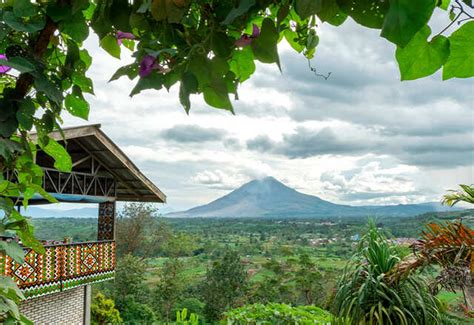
(57, 284)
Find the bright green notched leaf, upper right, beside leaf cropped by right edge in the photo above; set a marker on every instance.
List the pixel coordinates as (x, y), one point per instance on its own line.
(421, 58)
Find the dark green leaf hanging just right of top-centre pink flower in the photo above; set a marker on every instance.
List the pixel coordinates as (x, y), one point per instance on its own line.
(265, 45)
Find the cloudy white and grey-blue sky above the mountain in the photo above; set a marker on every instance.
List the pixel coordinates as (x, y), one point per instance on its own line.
(360, 137)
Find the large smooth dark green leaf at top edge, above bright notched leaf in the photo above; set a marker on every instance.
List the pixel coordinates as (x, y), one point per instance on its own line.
(405, 18)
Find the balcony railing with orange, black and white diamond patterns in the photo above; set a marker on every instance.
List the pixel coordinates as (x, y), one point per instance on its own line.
(62, 267)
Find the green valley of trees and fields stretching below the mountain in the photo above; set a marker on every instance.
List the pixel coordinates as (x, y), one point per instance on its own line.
(213, 269)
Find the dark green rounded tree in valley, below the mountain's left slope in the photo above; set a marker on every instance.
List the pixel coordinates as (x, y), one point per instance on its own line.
(225, 285)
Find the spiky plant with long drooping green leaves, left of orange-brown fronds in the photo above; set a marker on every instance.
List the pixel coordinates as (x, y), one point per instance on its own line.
(367, 295)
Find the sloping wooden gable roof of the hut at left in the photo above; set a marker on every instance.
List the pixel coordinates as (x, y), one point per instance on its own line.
(84, 142)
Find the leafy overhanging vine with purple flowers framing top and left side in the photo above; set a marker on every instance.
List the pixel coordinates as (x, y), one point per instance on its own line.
(208, 47)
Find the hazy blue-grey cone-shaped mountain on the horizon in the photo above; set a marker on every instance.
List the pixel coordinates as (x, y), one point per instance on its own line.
(268, 197)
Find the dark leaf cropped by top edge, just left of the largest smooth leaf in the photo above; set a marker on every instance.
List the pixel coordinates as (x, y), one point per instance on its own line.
(368, 13)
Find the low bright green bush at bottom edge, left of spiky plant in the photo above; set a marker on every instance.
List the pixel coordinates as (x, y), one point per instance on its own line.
(277, 314)
